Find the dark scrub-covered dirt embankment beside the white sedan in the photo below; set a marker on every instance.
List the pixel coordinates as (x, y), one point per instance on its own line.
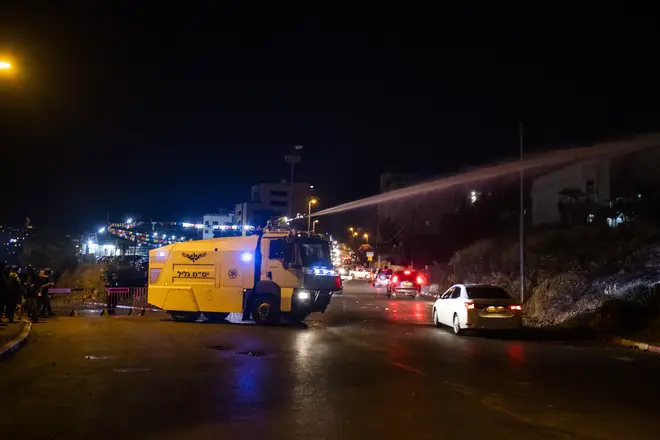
(597, 278)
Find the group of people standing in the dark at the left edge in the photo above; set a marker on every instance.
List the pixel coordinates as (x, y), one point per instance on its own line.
(24, 291)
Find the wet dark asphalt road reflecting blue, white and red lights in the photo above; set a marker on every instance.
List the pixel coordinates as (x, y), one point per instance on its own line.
(367, 368)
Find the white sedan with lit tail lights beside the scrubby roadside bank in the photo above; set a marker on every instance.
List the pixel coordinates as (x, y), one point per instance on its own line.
(477, 306)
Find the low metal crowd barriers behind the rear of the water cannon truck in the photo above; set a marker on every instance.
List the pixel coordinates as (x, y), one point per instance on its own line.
(112, 299)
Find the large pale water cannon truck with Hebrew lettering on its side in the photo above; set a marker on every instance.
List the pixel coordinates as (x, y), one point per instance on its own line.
(278, 274)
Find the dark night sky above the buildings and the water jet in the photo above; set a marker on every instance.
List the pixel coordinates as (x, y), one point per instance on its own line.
(173, 113)
